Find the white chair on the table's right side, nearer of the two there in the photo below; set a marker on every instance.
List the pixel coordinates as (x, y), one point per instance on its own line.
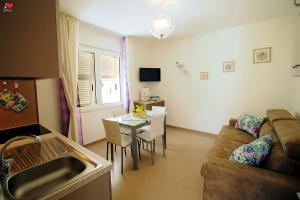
(152, 132)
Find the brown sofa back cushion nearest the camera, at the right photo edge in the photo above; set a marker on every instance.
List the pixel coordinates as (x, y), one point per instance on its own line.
(288, 132)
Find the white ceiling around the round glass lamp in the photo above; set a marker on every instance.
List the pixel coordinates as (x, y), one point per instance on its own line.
(132, 17)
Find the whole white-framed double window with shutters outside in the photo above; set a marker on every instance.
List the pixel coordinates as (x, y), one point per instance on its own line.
(98, 77)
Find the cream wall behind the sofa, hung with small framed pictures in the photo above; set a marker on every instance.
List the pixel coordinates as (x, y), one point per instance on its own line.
(253, 88)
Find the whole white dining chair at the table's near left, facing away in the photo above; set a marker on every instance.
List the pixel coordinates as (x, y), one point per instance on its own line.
(114, 137)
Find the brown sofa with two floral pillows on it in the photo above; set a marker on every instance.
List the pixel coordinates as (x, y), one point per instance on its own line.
(278, 177)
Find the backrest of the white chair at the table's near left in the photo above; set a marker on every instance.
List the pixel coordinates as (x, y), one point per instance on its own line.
(112, 131)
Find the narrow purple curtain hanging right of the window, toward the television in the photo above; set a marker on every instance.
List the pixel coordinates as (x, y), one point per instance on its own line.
(124, 75)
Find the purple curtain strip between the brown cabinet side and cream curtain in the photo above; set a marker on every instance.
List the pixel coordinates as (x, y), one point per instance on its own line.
(64, 109)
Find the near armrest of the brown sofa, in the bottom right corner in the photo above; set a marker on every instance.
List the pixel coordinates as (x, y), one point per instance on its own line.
(224, 179)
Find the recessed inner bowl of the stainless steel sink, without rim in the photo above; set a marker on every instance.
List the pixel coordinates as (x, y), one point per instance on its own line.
(38, 180)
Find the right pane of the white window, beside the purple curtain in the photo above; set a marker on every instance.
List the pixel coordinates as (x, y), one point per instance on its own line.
(110, 76)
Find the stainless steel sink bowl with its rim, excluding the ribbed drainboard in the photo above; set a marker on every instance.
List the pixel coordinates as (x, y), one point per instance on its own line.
(42, 180)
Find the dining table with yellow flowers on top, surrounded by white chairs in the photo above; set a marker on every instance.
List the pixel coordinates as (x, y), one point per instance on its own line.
(133, 122)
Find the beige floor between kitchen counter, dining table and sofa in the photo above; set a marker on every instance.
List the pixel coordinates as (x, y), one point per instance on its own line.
(175, 177)
